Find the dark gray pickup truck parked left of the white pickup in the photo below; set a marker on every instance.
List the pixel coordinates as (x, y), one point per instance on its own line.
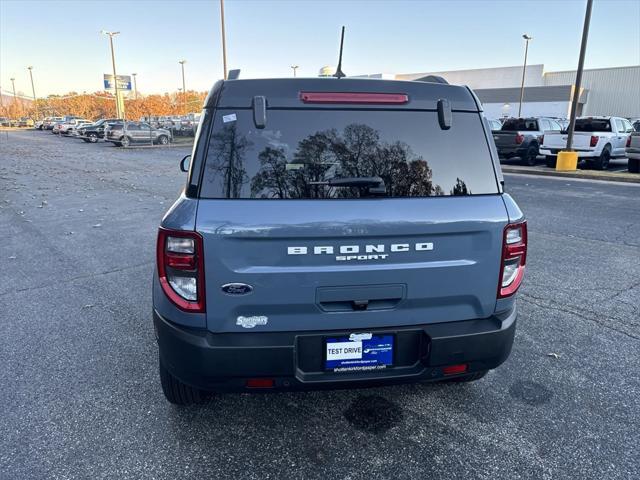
(521, 137)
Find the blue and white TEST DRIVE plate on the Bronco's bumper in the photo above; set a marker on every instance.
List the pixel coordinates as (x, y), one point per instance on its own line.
(359, 353)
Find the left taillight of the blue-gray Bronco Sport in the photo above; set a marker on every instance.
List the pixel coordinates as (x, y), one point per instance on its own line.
(181, 268)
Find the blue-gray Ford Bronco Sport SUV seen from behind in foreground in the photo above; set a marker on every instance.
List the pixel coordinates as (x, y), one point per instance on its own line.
(336, 232)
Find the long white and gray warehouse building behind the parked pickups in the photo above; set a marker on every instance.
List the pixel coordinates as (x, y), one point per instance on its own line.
(605, 91)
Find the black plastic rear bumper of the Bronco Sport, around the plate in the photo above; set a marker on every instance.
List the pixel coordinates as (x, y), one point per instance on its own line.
(295, 360)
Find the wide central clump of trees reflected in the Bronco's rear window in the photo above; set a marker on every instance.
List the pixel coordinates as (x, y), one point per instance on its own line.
(357, 152)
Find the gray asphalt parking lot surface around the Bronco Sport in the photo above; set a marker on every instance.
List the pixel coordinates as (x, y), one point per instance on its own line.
(81, 398)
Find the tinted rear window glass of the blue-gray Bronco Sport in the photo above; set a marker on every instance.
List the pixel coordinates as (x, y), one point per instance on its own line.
(301, 153)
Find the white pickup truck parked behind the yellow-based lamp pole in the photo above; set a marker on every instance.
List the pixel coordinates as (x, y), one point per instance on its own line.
(596, 140)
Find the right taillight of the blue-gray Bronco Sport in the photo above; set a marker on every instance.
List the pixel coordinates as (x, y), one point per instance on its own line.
(514, 258)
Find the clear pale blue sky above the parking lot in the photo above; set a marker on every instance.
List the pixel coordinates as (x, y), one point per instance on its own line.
(61, 39)
